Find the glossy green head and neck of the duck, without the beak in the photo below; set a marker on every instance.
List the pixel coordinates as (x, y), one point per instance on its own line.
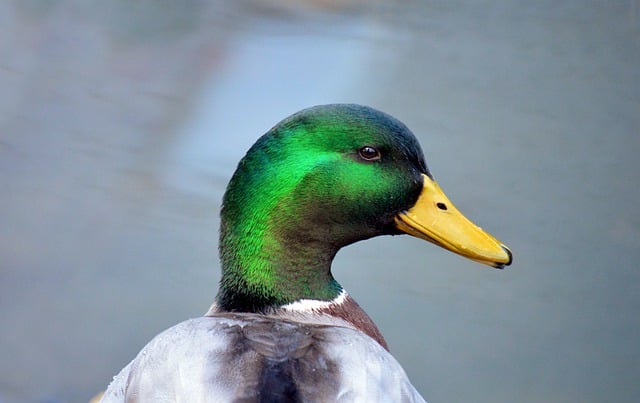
(319, 180)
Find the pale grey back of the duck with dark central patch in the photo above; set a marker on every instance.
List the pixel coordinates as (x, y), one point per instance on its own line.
(258, 358)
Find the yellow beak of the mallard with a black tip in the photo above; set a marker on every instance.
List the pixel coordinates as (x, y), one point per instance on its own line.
(435, 219)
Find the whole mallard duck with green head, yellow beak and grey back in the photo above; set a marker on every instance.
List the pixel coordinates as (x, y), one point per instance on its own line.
(281, 327)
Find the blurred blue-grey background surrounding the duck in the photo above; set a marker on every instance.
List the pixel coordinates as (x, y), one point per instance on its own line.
(122, 121)
